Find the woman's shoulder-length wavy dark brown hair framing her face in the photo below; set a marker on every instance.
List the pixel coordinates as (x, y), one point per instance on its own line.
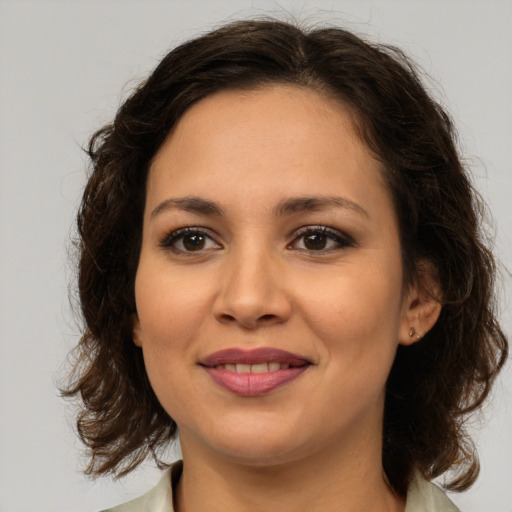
(434, 383)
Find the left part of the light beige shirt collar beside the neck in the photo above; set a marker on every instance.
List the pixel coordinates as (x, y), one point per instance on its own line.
(157, 499)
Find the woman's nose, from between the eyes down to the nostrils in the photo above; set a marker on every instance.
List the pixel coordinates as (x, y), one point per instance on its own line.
(252, 292)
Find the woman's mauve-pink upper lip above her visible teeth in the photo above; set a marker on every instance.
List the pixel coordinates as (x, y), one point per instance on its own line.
(253, 356)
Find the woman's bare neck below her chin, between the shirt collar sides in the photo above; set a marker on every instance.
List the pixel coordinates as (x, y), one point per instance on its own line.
(337, 480)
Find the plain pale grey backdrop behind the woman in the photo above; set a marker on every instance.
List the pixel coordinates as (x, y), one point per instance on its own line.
(64, 68)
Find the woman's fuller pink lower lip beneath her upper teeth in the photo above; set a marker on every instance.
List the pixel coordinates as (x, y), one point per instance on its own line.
(254, 384)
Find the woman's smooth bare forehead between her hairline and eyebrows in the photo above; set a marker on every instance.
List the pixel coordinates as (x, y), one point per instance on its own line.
(287, 139)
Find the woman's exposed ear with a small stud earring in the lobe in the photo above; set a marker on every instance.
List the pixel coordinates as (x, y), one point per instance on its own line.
(421, 306)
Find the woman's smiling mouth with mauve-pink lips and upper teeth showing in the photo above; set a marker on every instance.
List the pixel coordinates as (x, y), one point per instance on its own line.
(254, 372)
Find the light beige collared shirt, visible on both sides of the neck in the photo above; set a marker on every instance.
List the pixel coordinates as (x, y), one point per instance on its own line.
(422, 496)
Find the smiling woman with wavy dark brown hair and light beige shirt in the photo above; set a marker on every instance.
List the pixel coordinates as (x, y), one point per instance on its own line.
(280, 257)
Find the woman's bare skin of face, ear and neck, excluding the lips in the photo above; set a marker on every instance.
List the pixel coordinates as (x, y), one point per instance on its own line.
(315, 443)
